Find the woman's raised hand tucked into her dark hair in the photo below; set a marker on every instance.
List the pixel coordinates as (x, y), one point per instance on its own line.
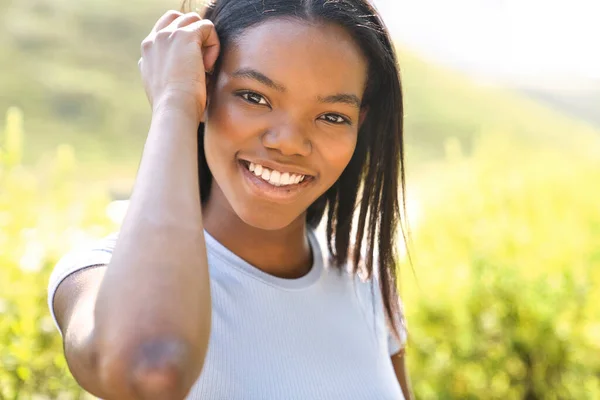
(175, 58)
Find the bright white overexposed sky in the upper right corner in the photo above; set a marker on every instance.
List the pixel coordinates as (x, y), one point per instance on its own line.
(516, 39)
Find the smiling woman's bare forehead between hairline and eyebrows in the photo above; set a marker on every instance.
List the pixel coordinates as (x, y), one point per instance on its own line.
(313, 57)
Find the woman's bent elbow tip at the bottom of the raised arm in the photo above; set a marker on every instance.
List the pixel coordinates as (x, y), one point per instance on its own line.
(155, 369)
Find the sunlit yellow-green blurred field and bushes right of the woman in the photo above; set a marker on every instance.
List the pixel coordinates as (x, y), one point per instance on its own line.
(505, 301)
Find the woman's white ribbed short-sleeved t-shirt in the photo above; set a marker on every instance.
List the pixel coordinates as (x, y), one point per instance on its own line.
(319, 337)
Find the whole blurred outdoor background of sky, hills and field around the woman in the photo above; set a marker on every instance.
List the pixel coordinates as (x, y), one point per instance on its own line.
(503, 157)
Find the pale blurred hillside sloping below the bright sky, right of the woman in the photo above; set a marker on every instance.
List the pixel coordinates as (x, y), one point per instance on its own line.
(442, 103)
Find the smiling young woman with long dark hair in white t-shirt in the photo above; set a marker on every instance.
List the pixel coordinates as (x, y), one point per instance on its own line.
(266, 114)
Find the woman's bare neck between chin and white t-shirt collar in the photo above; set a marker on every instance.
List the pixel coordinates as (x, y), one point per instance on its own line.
(284, 253)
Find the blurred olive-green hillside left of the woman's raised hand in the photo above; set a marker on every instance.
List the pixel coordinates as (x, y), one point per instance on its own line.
(72, 67)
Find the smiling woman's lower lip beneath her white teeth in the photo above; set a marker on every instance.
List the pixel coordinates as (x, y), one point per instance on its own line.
(276, 194)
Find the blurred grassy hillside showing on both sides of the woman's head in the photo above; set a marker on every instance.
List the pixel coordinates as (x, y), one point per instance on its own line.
(72, 67)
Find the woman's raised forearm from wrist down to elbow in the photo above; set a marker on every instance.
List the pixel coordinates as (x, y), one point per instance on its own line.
(153, 310)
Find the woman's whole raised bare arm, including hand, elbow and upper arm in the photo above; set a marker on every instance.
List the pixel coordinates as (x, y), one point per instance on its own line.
(139, 328)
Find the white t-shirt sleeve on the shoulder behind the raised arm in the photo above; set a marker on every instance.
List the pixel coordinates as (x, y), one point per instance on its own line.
(98, 253)
